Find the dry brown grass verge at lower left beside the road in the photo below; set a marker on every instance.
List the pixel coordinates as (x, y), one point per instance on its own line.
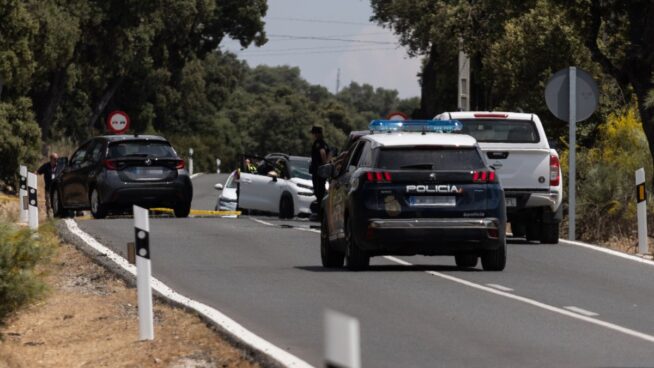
(88, 318)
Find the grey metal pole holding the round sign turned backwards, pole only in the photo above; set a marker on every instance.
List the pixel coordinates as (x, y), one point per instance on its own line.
(573, 152)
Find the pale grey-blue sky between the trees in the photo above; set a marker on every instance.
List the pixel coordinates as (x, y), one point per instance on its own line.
(364, 52)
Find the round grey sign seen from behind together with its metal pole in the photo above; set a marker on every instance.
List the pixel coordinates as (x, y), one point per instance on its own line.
(572, 95)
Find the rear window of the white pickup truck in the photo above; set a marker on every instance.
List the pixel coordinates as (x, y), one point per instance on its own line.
(501, 131)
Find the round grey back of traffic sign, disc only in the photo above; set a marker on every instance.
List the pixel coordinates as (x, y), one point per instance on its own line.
(557, 94)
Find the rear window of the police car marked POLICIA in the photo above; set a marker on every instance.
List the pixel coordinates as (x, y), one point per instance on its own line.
(429, 158)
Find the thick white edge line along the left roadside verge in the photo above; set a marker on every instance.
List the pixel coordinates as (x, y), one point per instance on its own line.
(210, 314)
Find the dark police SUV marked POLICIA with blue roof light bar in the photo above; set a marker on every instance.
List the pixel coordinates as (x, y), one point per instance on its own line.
(412, 188)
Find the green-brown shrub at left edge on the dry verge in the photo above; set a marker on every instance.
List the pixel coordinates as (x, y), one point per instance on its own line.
(21, 250)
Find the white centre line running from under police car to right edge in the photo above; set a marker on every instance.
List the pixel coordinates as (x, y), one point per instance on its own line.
(608, 325)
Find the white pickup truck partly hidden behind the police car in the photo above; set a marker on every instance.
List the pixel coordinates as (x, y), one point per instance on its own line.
(529, 171)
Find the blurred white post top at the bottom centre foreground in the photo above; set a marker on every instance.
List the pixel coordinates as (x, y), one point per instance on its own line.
(342, 341)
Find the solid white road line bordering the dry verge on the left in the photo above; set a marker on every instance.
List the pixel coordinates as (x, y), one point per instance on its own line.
(216, 316)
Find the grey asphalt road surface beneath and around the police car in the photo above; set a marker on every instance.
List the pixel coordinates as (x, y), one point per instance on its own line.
(429, 314)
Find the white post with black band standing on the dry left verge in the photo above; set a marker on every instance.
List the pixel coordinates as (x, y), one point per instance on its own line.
(143, 273)
